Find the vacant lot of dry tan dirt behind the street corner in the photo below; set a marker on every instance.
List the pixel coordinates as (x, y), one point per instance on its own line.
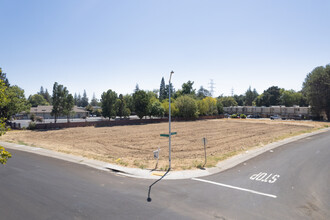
(133, 146)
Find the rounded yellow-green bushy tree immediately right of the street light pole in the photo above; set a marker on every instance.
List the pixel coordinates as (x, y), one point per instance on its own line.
(187, 107)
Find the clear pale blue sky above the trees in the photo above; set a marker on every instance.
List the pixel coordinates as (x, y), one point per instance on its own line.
(98, 45)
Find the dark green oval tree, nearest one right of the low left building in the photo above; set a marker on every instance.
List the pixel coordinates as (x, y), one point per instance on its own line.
(108, 100)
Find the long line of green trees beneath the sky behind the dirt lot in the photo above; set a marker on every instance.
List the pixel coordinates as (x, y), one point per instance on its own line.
(187, 102)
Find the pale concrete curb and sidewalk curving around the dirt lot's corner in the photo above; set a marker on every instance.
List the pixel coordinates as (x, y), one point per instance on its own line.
(149, 174)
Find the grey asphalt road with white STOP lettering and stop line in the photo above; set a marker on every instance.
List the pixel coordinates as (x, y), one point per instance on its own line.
(290, 182)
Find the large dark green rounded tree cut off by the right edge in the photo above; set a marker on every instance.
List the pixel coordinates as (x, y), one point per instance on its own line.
(317, 90)
